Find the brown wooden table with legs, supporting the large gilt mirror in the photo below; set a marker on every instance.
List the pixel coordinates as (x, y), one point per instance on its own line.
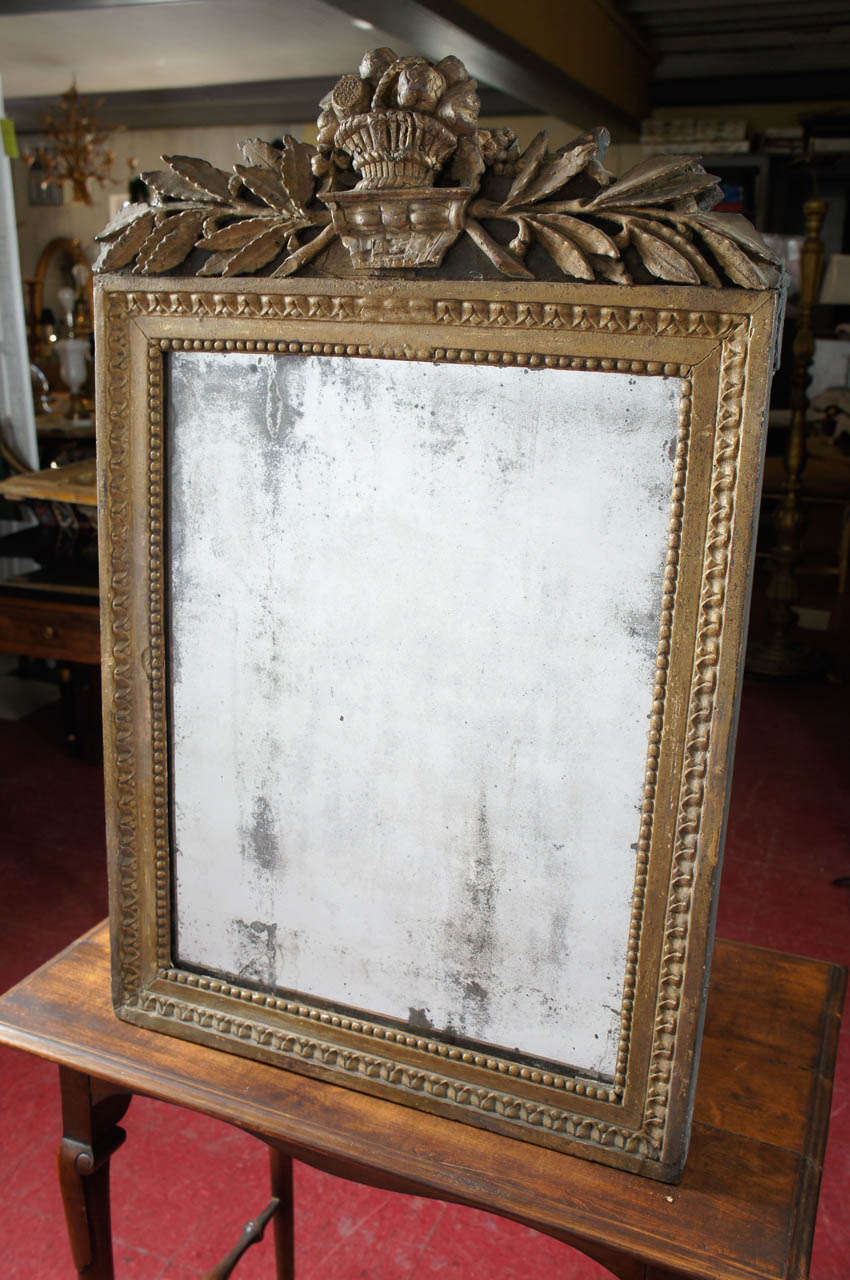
(744, 1212)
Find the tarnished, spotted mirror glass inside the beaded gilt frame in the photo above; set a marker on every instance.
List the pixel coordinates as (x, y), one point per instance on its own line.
(414, 624)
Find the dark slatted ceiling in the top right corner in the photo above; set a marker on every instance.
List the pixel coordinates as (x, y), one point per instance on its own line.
(746, 51)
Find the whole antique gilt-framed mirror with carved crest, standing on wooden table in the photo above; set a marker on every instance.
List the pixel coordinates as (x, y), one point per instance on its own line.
(427, 573)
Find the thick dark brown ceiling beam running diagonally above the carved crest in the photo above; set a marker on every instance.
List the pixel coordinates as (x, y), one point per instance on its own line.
(437, 28)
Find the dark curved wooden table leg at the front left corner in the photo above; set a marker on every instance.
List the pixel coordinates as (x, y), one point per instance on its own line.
(90, 1116)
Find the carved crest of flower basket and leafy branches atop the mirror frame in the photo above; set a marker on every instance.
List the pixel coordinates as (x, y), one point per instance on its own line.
(403, 171)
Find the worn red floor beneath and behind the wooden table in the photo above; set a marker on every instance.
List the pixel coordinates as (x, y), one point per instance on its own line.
(184, 1186)
